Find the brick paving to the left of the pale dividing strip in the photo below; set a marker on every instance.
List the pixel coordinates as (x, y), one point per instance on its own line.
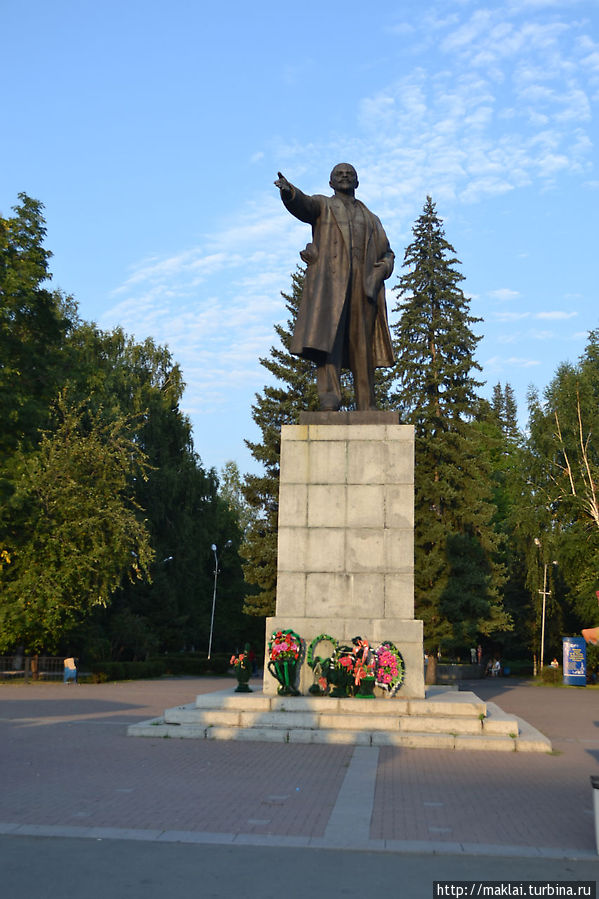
(67, 761)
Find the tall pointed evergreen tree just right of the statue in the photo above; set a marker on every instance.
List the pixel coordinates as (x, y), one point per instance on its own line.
(436, 391)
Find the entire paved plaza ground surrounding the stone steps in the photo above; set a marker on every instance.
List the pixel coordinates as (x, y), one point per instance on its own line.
(79, 796)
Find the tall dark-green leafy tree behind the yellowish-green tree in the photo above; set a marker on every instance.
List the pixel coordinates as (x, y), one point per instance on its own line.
(184, 511)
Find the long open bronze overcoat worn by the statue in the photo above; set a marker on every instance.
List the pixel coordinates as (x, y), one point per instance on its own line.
(327, 276)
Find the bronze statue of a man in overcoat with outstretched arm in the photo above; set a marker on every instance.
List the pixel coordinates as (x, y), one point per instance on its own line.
(342, 319)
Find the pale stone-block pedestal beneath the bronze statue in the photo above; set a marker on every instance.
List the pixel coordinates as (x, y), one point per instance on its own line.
(346, 536)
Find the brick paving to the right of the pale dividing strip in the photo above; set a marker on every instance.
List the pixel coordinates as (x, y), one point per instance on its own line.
(492, 798)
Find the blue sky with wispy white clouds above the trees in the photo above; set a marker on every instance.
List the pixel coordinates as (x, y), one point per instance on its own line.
(152, 133)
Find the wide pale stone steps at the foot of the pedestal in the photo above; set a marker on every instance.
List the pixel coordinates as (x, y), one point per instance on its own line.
(446, 720)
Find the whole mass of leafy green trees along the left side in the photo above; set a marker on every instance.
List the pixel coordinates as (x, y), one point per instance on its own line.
(70, 518)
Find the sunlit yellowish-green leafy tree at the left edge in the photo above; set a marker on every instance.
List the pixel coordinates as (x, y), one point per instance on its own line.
(76, 528)
